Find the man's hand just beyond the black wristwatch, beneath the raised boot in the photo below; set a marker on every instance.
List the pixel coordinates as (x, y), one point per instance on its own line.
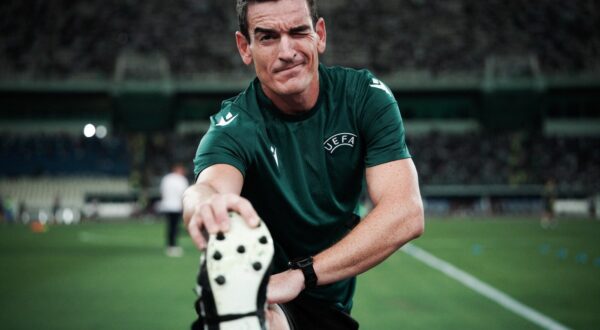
(284, 287)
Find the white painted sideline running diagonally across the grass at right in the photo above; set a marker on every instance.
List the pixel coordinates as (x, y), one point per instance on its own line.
(483, 288)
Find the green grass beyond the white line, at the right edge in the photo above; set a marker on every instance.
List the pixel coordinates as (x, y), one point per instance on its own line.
(555, 271)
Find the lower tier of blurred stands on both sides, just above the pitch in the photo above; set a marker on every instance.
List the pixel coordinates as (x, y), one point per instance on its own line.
(518, 161)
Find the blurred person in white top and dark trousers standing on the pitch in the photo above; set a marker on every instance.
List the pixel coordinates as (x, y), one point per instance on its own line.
(172, 187)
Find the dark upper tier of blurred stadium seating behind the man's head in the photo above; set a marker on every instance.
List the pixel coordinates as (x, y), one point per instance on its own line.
(65, 39)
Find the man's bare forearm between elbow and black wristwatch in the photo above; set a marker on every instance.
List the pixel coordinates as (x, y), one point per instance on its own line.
(386, 228)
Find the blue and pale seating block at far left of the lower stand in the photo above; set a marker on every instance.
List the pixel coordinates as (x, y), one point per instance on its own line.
(38, 169)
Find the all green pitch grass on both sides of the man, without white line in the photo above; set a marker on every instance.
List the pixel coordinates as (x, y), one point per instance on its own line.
(115, 276)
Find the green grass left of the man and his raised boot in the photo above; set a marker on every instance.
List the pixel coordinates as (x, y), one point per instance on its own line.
(94, 276)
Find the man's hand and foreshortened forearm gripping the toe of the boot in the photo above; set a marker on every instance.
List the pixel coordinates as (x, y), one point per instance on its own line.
(207, 202)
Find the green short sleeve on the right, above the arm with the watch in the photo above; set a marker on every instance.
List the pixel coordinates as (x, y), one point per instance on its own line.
(382, 127)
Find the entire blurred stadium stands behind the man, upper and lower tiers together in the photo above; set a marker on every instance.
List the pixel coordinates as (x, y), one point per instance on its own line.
(108, 44)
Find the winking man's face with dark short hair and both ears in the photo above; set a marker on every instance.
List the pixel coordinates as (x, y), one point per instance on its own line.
(284, 46)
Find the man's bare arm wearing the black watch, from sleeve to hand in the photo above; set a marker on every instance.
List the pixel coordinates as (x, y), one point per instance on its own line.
(397, 218)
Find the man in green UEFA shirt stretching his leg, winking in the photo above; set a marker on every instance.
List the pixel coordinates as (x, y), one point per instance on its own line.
(293, 148)
